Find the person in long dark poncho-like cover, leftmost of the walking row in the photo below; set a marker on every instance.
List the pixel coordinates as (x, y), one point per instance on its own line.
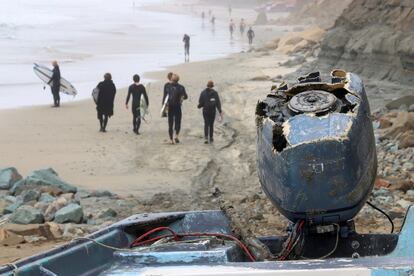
(105, 102)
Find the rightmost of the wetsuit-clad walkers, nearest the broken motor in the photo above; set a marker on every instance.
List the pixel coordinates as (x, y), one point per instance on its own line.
(210, 102)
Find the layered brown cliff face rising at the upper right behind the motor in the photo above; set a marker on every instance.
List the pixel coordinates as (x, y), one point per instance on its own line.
(374, 38)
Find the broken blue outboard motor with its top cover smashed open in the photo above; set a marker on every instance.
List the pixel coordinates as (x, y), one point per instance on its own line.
(316, 148)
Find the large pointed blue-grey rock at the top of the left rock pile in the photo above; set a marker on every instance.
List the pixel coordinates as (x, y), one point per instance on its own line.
(45, 180)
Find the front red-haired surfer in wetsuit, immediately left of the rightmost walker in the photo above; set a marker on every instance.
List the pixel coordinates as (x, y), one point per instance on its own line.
(176, 95)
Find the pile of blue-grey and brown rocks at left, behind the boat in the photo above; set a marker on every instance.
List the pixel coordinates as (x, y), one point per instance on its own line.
(44, 207)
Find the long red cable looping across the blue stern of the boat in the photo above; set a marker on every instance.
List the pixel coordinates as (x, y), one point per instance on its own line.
(139, 241)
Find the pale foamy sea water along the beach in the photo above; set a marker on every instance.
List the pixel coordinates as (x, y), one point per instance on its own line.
(91, 37)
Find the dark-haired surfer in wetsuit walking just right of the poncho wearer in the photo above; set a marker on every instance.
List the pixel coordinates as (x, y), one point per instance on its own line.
(137, 91)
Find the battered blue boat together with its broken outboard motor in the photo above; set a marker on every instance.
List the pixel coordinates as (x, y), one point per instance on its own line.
(317, 164)
